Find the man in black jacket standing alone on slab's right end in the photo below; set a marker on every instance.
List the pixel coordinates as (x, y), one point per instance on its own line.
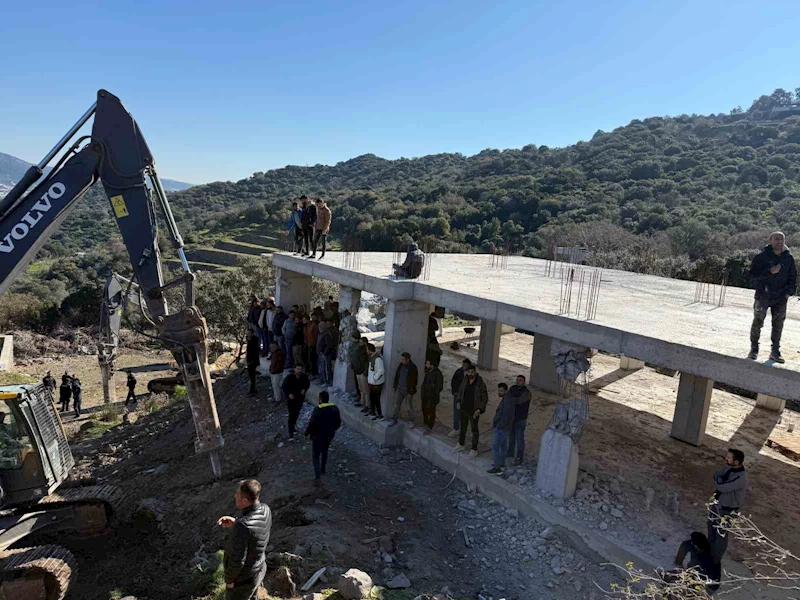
(774, 277)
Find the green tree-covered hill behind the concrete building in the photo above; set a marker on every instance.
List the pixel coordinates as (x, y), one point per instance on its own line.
(683, 182)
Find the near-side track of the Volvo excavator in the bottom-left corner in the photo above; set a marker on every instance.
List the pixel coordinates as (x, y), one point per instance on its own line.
(38, 573)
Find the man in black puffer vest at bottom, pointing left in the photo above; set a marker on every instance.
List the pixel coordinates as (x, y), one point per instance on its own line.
(245, 563)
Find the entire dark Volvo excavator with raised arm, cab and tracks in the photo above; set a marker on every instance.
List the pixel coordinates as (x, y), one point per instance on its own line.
(35, 457)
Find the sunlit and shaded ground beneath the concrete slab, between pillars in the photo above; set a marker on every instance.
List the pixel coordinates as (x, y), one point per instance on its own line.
(628, 438)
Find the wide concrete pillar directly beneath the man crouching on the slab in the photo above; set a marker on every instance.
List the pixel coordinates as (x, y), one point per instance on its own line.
(406, 330)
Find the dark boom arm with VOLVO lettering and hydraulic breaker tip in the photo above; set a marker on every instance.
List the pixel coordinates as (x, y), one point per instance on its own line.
(119, 157)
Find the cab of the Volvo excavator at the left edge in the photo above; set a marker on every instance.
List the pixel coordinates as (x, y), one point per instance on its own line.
(34, 454)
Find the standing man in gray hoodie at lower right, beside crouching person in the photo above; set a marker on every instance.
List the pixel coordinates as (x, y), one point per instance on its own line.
(731, 483)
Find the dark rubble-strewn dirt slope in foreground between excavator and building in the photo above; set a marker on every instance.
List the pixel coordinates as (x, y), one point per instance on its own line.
(369, 492)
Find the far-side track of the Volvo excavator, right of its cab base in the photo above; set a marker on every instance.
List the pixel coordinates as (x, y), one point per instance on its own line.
(98, 505)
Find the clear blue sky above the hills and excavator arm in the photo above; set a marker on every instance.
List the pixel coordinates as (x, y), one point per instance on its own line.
(225, 89)
